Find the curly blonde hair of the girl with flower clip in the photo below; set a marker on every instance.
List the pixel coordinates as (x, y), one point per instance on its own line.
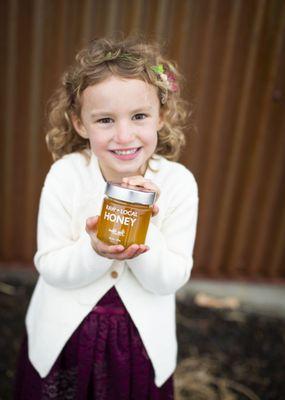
(127, 58)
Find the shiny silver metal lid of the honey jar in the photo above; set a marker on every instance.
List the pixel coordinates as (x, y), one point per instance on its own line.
(129, 193)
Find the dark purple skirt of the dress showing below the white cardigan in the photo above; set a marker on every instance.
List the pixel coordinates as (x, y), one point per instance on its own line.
(104, 359)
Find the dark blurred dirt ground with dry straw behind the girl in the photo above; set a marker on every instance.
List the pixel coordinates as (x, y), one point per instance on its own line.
(223, 354)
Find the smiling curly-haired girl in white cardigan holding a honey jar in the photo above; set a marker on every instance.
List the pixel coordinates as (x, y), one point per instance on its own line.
(101, 322)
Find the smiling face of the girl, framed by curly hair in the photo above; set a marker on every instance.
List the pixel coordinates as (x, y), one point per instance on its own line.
(120, 117)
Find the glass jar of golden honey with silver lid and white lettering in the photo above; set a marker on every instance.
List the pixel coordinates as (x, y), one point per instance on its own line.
(125, 214)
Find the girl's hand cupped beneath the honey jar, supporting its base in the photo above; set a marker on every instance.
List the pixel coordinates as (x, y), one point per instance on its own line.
(115, 252)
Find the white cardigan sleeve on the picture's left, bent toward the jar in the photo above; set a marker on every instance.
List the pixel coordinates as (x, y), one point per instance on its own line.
(61, 260)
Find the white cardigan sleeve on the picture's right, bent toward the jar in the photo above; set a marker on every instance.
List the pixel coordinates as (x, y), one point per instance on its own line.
(167, 265)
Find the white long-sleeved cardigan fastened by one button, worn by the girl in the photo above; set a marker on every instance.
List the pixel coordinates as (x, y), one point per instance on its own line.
(73, 277)
